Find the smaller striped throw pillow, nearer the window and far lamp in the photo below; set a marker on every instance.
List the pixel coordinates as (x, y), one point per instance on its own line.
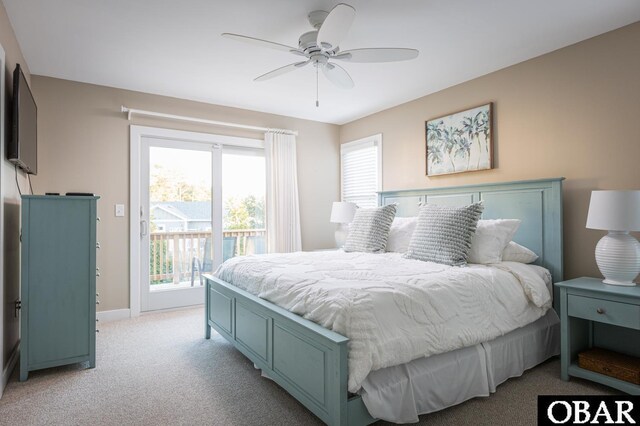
(369, 230)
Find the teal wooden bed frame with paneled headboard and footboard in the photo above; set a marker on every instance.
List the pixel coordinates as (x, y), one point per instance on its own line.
(311, 362)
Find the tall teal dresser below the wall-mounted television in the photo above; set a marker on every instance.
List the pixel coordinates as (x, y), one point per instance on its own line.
(58, 282)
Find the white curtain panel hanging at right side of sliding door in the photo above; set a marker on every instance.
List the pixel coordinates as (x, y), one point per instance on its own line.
(283, 211)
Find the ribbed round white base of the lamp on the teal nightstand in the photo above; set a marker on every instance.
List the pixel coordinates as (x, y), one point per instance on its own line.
(618, 258)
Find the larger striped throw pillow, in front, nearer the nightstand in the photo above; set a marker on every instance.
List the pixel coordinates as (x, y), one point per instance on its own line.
(443, 234)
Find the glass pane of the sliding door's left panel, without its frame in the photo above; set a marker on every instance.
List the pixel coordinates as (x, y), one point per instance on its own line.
(179, 216)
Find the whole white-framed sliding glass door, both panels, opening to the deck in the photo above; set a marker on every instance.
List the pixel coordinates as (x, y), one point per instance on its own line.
(201, 204)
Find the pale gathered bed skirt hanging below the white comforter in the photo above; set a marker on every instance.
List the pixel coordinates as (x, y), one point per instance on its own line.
(399, 394)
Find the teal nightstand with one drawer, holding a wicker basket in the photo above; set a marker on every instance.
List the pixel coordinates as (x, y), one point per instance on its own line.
(594, 314)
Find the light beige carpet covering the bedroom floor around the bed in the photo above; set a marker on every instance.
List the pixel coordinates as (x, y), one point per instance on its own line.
(159, 370)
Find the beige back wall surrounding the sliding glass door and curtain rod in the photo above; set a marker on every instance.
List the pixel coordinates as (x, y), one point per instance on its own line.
(84, 146)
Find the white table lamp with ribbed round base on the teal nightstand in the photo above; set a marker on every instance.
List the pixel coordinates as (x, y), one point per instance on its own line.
(618, 252)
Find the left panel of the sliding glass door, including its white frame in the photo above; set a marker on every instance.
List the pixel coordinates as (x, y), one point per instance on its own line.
(179, 242)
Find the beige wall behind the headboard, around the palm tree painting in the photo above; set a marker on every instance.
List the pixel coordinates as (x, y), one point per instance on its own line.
(573, 113)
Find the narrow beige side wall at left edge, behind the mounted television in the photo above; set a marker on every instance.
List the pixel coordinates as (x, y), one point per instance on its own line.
(10, 217)
